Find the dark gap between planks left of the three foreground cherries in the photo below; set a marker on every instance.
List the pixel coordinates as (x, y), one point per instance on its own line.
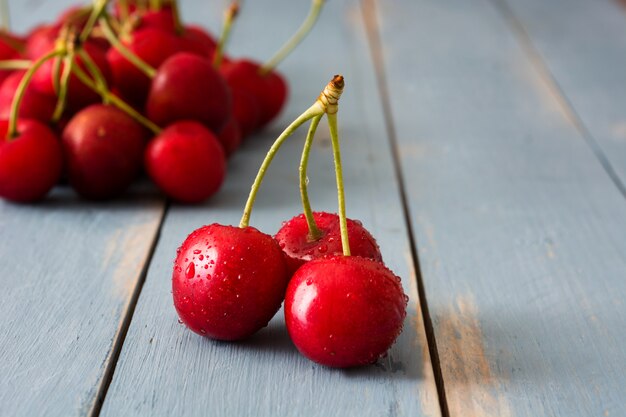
(120, 337)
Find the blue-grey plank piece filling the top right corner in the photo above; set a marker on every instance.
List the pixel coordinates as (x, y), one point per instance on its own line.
(587, 66)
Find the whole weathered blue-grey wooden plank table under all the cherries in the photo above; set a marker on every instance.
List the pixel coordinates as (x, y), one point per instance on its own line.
(485, 148)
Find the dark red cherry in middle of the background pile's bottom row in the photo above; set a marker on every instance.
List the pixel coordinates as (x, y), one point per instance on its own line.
(103, 149)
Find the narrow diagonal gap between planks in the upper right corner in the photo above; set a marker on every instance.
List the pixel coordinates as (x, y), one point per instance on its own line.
(537, 61)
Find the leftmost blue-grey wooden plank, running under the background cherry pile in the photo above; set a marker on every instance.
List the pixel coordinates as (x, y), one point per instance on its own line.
(68, 272)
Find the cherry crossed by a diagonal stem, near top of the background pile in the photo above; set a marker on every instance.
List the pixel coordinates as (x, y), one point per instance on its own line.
(151, 45)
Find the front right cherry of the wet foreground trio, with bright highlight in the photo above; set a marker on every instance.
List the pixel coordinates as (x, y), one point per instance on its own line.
(344, 311)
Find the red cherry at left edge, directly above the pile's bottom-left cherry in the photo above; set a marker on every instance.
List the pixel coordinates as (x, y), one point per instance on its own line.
(34, 104)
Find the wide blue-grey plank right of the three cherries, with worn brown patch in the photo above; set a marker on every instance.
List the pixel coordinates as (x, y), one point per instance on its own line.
(520, 231)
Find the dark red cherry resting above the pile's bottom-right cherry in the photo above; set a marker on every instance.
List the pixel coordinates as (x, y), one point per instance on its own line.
(187, 87)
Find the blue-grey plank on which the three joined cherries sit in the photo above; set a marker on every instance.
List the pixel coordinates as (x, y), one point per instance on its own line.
(165, 369)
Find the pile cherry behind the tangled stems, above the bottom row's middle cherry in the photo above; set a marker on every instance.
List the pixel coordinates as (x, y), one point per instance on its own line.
(78, 94)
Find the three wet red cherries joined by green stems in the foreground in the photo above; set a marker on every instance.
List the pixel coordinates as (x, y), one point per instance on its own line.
(343, 306)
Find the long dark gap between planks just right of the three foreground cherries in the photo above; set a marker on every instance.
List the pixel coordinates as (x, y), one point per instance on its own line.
(368, 8)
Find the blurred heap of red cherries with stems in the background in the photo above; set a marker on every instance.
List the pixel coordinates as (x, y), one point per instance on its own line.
(105, 93)
